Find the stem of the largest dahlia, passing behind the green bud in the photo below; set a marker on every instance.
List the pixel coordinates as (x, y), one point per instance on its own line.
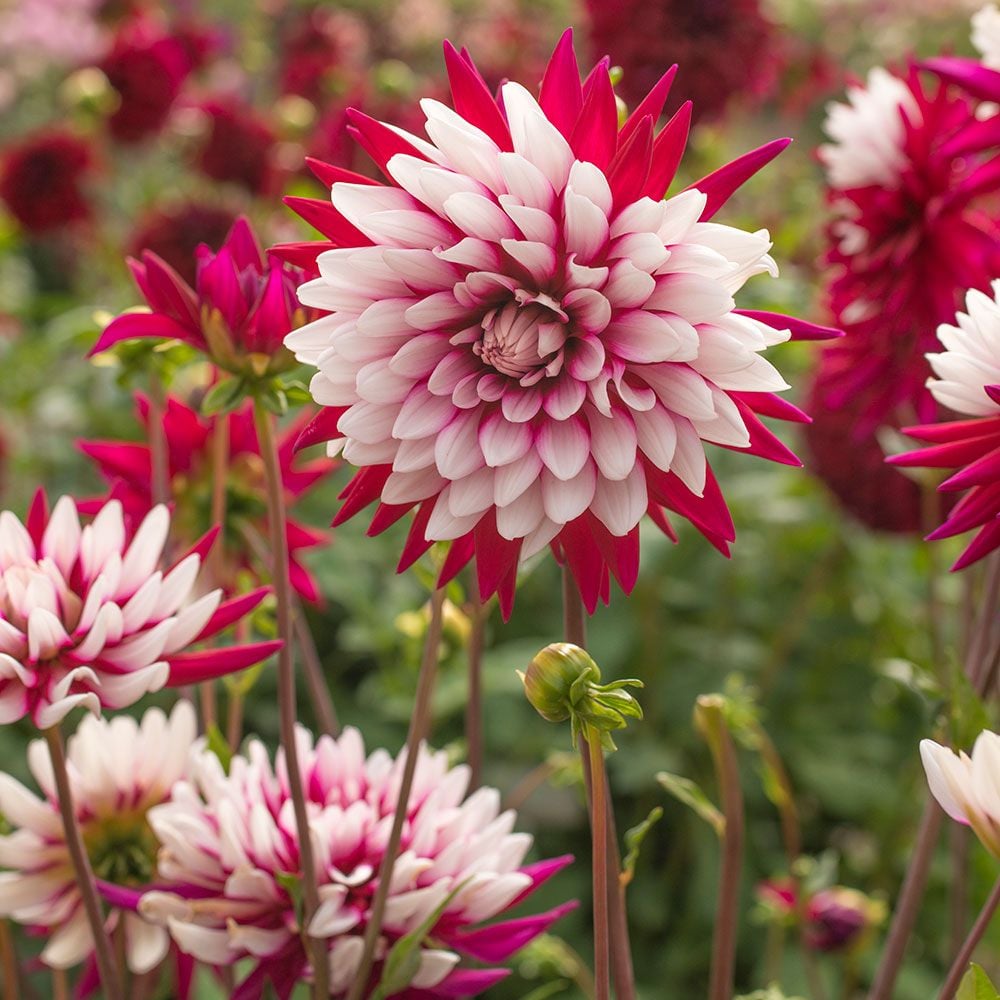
(575, 631)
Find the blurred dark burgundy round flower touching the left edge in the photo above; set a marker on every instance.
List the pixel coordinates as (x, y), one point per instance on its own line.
(40, 179)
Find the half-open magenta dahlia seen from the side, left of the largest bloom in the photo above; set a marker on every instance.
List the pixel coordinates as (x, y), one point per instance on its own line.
(238, 311)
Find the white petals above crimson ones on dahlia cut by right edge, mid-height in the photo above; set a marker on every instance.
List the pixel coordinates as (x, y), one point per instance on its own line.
(971, 362)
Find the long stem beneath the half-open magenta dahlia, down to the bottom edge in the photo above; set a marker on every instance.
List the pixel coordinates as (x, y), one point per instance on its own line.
(286, 689)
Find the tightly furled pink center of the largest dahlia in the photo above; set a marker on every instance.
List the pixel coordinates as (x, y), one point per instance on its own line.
(524, 338)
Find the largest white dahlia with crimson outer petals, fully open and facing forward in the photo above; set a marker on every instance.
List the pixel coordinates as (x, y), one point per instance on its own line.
(525, 343)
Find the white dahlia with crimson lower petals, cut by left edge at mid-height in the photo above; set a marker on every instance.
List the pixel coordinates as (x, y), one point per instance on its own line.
(88, 618)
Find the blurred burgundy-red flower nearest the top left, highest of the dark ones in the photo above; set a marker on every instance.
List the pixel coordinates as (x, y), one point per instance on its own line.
(147, 67)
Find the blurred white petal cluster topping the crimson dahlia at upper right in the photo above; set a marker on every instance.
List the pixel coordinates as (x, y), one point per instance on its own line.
(867, 134)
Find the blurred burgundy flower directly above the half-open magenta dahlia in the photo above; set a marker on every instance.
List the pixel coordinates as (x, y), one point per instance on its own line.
(239, 148)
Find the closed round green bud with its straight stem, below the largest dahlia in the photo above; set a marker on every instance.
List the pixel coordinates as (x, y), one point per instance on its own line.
(561, 683)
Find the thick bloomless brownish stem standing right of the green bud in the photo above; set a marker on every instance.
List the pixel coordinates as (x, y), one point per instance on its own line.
(720, 744)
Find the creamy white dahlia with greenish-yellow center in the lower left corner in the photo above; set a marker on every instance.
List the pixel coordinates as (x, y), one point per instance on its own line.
(119, 769)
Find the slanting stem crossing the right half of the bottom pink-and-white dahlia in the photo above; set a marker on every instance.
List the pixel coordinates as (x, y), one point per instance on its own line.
(419, 726)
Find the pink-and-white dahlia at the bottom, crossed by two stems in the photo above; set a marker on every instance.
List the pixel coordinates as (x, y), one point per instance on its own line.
(229, 842)
